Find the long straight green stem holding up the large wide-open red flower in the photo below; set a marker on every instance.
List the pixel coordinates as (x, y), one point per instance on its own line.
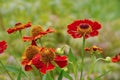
(82, 62)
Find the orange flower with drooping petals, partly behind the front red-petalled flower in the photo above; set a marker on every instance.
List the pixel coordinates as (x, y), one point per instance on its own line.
(29, 53)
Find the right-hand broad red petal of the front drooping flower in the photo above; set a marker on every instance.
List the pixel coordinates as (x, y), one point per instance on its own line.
(61, 61)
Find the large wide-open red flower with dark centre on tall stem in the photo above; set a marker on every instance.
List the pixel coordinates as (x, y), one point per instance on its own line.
(86, 28)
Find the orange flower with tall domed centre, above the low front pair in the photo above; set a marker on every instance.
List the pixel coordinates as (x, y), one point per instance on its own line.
(37, 32)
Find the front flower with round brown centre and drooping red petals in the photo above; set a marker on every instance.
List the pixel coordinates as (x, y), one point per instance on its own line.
(44, 60)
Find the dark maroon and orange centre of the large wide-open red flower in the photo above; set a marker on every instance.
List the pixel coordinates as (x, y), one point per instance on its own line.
(84, 29)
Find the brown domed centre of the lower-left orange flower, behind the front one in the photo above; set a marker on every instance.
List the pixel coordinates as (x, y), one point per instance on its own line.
(31, 51)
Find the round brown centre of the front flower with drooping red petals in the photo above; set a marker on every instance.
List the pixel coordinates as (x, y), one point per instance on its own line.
(47, 55)
